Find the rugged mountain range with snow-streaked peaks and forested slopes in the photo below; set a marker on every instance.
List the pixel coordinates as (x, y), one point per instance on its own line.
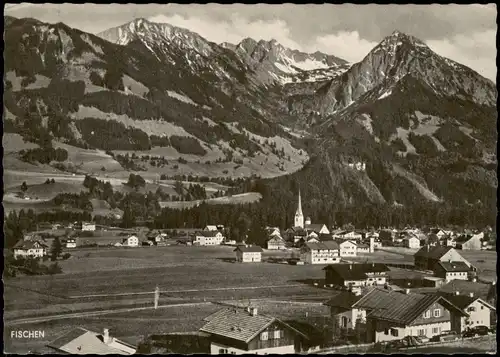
(403, 125)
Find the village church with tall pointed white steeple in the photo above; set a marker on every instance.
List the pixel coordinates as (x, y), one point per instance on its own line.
(304, 229)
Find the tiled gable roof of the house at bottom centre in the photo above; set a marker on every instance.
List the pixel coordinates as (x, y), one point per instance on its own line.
(238, 324)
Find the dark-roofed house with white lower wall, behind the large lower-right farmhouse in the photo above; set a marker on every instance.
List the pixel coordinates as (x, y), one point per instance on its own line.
(356, 275)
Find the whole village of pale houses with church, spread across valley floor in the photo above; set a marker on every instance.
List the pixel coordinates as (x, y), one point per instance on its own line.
(438, 296)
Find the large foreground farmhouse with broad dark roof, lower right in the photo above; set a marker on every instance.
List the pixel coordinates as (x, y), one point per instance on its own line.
(393, 315)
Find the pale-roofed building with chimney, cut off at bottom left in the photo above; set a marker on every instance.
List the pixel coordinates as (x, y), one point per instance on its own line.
(82, 341)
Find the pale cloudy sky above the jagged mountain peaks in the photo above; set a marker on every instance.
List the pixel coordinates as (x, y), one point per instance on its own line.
(464, 33)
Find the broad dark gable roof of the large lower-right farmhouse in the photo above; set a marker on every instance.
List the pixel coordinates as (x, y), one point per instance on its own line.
(399, 307)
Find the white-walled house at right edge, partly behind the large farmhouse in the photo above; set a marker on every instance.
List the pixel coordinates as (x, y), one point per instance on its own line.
(479, 311)
